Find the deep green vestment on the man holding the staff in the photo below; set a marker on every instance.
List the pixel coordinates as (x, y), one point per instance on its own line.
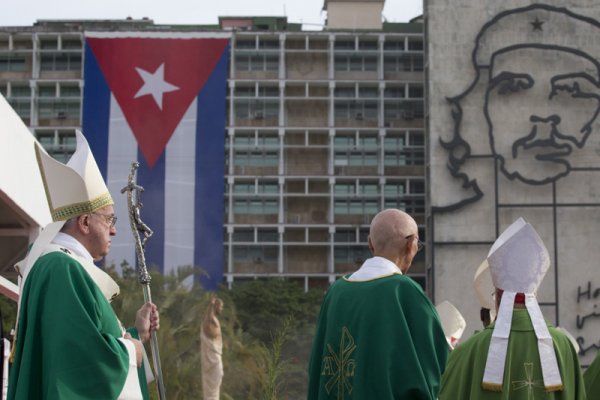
(67, 346)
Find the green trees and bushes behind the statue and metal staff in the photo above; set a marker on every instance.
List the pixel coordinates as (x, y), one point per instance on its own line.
(267, 328)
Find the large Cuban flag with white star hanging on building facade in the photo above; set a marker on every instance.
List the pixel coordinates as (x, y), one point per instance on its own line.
(160, 99)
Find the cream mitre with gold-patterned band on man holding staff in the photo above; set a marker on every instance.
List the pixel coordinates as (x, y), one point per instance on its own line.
(72, 189)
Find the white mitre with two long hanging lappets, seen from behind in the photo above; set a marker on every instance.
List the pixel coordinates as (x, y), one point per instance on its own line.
(518, 261)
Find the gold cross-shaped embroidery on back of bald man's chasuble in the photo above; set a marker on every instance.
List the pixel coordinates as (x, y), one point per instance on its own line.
(340, 366)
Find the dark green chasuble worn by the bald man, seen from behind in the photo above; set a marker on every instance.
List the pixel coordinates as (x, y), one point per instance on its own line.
(377, 339)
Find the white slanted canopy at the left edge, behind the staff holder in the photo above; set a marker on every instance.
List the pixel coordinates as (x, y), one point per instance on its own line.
(23, 206)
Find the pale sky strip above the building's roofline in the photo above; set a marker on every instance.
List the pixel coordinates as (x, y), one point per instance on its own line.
(307, 12)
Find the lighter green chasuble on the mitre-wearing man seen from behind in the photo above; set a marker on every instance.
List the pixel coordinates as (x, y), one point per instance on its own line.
(522, 372)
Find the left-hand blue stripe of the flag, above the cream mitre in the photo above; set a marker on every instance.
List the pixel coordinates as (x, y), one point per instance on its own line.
(96, 109)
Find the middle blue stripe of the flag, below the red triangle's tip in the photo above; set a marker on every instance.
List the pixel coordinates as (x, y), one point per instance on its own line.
(153, 211)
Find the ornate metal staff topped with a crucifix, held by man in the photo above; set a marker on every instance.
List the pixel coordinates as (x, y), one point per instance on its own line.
(139, 228)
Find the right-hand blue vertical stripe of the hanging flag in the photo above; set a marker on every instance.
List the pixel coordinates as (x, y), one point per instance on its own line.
(209, 194)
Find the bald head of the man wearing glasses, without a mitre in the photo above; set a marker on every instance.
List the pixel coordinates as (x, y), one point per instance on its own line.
(388, 237)
